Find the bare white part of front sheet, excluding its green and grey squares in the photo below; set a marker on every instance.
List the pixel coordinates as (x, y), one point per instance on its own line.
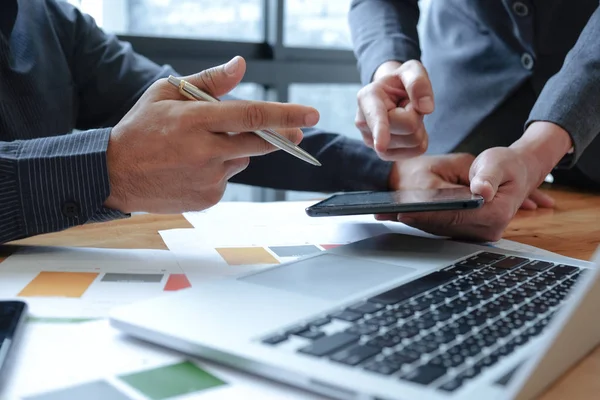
(55, 356)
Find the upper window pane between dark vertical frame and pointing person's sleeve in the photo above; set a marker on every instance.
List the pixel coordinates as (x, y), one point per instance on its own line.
(317, 23)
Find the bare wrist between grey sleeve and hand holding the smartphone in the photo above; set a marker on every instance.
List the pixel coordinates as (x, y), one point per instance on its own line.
(544, 144)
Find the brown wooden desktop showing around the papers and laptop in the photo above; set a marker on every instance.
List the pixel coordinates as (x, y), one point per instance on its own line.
(571, 229)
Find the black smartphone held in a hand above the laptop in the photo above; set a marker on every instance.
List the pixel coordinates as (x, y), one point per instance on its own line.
(402, 201)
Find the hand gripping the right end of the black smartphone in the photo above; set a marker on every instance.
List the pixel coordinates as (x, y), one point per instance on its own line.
(504, 177)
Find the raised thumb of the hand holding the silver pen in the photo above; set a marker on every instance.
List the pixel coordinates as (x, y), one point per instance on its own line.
(221, 79)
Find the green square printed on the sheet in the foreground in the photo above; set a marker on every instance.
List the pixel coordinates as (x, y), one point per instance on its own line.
(172, 380)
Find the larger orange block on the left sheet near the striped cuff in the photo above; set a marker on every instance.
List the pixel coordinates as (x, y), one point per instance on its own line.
(59, 284)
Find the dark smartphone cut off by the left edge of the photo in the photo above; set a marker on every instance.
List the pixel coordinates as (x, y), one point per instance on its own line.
(12, 319)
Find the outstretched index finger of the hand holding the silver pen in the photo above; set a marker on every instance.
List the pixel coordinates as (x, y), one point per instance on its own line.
(247, 116)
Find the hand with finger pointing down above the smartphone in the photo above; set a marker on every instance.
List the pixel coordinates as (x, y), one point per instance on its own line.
(391, 108)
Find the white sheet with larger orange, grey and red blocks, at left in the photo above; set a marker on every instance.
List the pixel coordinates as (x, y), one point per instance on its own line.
(87, 283)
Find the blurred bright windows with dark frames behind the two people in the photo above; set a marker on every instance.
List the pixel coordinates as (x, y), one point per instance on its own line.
(297, 51)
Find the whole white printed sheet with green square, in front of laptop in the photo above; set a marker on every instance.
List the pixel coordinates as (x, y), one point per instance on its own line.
(92, 360)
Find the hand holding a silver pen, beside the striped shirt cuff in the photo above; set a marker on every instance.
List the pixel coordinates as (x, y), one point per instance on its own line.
(169, 154)
